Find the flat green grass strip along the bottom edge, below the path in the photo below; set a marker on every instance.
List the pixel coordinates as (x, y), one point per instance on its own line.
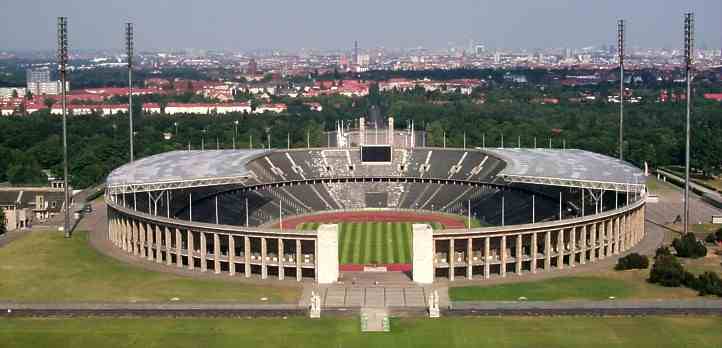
(585, 332)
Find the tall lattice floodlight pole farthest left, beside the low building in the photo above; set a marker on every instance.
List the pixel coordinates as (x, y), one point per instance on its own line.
(62, 65)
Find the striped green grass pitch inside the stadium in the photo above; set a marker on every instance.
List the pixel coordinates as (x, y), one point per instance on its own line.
(373, 242)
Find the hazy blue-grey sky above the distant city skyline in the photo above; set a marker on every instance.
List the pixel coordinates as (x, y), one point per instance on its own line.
(30, 24)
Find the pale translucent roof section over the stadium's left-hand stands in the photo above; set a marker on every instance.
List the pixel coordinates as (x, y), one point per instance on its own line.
(181, 169)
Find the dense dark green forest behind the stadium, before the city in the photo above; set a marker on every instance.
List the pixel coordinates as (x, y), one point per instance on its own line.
(653, 131)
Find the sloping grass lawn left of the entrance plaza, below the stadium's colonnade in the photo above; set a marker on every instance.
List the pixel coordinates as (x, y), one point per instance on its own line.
(45, 267)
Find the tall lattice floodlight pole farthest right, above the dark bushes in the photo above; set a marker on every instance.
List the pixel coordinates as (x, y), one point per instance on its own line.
(689, 67)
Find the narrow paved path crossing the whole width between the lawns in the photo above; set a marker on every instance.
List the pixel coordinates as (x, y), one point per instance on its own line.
(496, 308)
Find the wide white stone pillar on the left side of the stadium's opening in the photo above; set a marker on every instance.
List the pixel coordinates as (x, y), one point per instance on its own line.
(327, 254)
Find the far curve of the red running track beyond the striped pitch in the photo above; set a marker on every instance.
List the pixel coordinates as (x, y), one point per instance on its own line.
(374, 216)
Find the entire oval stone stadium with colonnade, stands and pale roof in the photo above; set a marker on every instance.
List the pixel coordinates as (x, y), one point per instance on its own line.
(373, 200)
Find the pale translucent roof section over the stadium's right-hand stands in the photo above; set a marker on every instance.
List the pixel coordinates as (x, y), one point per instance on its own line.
(571, 168)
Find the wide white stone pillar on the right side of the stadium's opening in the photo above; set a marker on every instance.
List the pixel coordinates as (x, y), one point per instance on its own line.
(422, 254)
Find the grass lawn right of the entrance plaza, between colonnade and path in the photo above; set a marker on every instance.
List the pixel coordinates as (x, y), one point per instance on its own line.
(630, 284)
